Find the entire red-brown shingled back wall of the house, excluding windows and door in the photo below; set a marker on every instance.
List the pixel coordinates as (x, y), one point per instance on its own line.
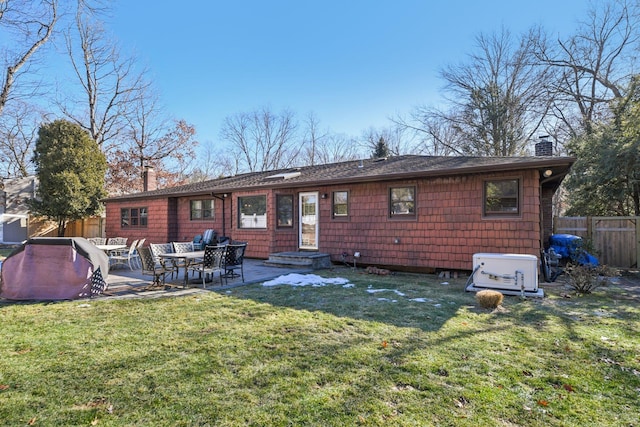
(448, 229)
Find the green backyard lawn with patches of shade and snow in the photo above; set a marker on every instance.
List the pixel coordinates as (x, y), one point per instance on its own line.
(420, 353)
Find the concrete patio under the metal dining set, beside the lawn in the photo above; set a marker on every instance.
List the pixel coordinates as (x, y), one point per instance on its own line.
(124, 283)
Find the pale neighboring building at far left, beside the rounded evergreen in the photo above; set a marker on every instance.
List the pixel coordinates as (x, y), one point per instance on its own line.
(14, 212)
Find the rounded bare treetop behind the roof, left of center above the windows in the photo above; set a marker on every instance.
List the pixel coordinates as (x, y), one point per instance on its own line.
(261, 140)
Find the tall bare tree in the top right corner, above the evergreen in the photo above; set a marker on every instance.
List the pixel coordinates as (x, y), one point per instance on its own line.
(594, 65)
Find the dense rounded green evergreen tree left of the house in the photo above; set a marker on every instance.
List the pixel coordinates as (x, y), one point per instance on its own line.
(71, 169)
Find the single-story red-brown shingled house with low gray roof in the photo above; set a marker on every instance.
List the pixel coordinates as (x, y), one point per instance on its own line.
(405, 212)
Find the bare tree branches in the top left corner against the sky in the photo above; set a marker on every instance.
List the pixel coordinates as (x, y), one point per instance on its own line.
(26, 25)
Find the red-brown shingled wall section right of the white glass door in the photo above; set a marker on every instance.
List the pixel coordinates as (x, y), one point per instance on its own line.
(448, 230)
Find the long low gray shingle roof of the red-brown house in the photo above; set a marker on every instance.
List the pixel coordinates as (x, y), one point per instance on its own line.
(368, 170)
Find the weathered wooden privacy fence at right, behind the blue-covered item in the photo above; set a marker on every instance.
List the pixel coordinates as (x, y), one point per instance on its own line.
(615, 240)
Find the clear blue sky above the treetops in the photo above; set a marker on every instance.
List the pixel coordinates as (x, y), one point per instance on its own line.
(352, 63)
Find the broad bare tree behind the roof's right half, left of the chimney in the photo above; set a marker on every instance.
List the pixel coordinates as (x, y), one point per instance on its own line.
(497, 100)
